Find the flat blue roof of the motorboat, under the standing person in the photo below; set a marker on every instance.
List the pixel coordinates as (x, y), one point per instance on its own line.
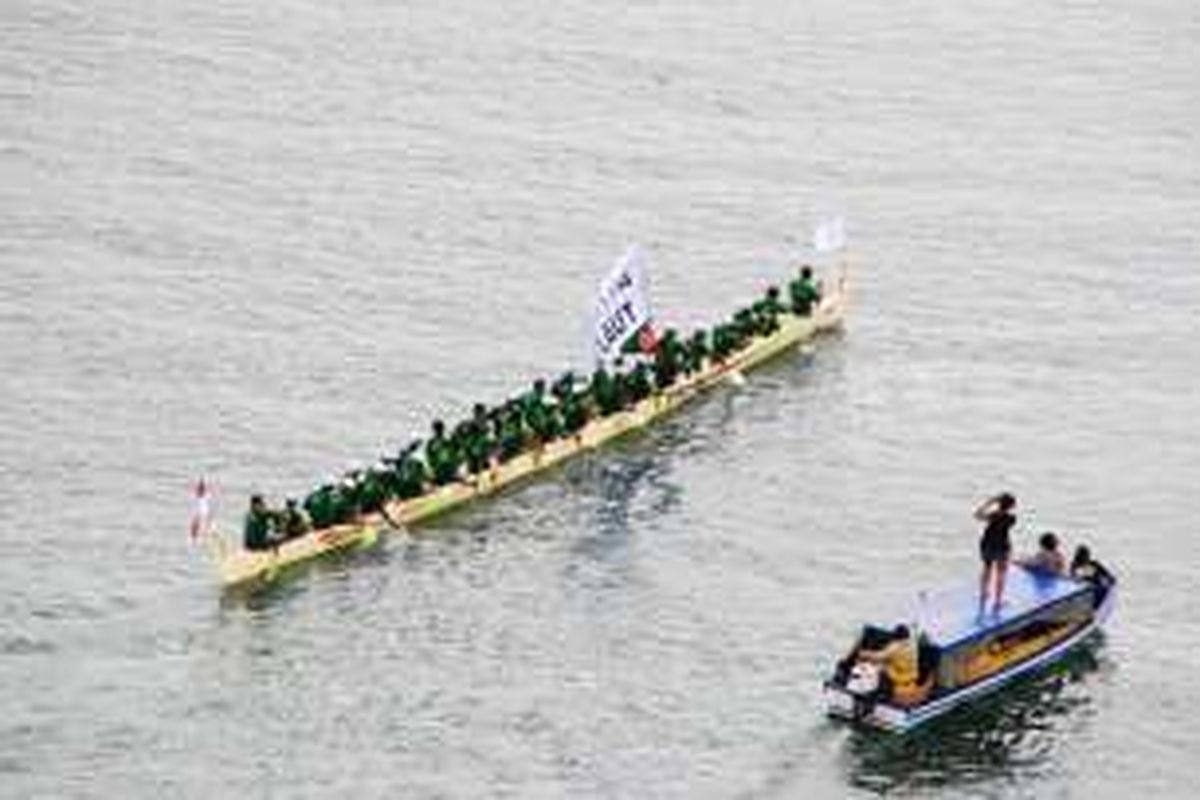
(951, 618)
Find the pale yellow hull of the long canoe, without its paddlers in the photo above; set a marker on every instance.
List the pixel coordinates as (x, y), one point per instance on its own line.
(238, 567)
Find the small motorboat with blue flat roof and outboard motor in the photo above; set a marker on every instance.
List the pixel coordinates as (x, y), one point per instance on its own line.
(964, 653)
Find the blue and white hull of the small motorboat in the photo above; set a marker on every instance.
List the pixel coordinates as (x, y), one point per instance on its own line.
(842, 705)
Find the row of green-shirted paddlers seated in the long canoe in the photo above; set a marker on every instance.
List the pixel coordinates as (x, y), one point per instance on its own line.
(495, 436)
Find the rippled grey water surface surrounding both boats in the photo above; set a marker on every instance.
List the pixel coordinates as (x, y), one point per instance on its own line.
(268, 242)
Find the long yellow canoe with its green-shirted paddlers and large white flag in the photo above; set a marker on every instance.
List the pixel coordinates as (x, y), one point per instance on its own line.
(524, 437)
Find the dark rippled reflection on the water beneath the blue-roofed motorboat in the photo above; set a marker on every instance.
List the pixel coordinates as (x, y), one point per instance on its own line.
(1013, 733)
